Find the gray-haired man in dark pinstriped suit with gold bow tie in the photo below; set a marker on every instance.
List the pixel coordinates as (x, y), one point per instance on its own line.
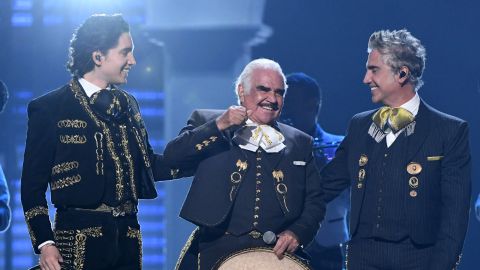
(409, 167)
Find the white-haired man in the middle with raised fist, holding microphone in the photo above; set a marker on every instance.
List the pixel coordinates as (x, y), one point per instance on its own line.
(253, 174)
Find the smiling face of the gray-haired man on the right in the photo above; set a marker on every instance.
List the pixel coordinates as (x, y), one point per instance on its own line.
(385, 86)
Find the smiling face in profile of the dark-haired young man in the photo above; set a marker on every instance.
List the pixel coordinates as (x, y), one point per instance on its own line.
(113, 67)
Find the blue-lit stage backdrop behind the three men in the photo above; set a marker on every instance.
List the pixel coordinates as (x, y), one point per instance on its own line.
(190, 52)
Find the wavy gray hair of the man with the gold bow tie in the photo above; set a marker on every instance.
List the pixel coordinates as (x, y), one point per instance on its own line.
(399, 49)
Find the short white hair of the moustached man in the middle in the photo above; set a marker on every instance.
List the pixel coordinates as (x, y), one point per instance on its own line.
(244, 78)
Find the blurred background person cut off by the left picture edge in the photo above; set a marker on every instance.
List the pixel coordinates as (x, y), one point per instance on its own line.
(4, 194)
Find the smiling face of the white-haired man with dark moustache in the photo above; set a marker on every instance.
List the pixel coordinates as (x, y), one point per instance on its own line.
(265, 96)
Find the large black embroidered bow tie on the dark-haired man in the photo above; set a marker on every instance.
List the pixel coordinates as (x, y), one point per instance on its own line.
(110, 105)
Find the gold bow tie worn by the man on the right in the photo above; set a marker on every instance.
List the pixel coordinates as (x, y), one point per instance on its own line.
(394, 119)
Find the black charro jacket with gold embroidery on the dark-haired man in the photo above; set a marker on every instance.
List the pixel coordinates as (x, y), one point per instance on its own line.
(66, 147)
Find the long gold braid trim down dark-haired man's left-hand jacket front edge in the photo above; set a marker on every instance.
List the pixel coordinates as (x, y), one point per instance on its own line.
(74, 85)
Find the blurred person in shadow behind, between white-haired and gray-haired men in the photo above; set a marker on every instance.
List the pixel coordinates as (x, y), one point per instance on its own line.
(301, 110)
